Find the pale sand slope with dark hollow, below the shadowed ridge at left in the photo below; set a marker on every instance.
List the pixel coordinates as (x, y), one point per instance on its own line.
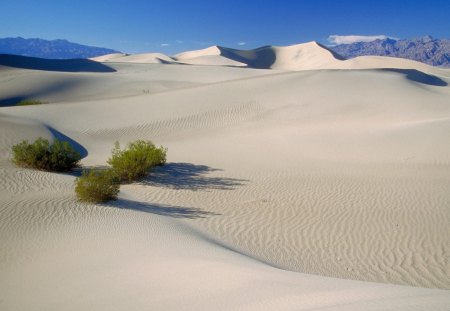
(130, 80)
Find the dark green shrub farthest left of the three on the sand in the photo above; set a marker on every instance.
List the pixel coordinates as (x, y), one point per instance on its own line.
(58, 156)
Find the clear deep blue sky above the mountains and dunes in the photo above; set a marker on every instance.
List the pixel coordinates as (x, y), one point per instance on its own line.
(172, 26)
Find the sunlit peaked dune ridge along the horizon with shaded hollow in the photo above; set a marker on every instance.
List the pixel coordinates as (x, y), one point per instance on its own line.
(304, 56)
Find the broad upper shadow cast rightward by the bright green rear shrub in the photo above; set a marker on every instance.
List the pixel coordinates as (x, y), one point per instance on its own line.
(187, 176)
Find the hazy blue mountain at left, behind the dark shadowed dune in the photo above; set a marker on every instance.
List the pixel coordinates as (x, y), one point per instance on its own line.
(51, 49)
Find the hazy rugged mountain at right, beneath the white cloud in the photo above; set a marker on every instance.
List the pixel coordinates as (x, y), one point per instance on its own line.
(426, 49)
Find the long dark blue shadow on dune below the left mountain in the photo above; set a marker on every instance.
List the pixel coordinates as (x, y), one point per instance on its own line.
(62, 65)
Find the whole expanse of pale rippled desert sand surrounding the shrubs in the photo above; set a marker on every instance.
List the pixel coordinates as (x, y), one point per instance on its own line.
(301, 182)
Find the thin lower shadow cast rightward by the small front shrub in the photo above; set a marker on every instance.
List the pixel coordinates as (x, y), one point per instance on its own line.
(162, 209)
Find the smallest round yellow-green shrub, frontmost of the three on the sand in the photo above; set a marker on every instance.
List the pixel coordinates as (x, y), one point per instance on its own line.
(97, 186)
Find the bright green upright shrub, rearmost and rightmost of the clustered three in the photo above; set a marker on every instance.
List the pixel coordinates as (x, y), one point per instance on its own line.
(136, 160)
